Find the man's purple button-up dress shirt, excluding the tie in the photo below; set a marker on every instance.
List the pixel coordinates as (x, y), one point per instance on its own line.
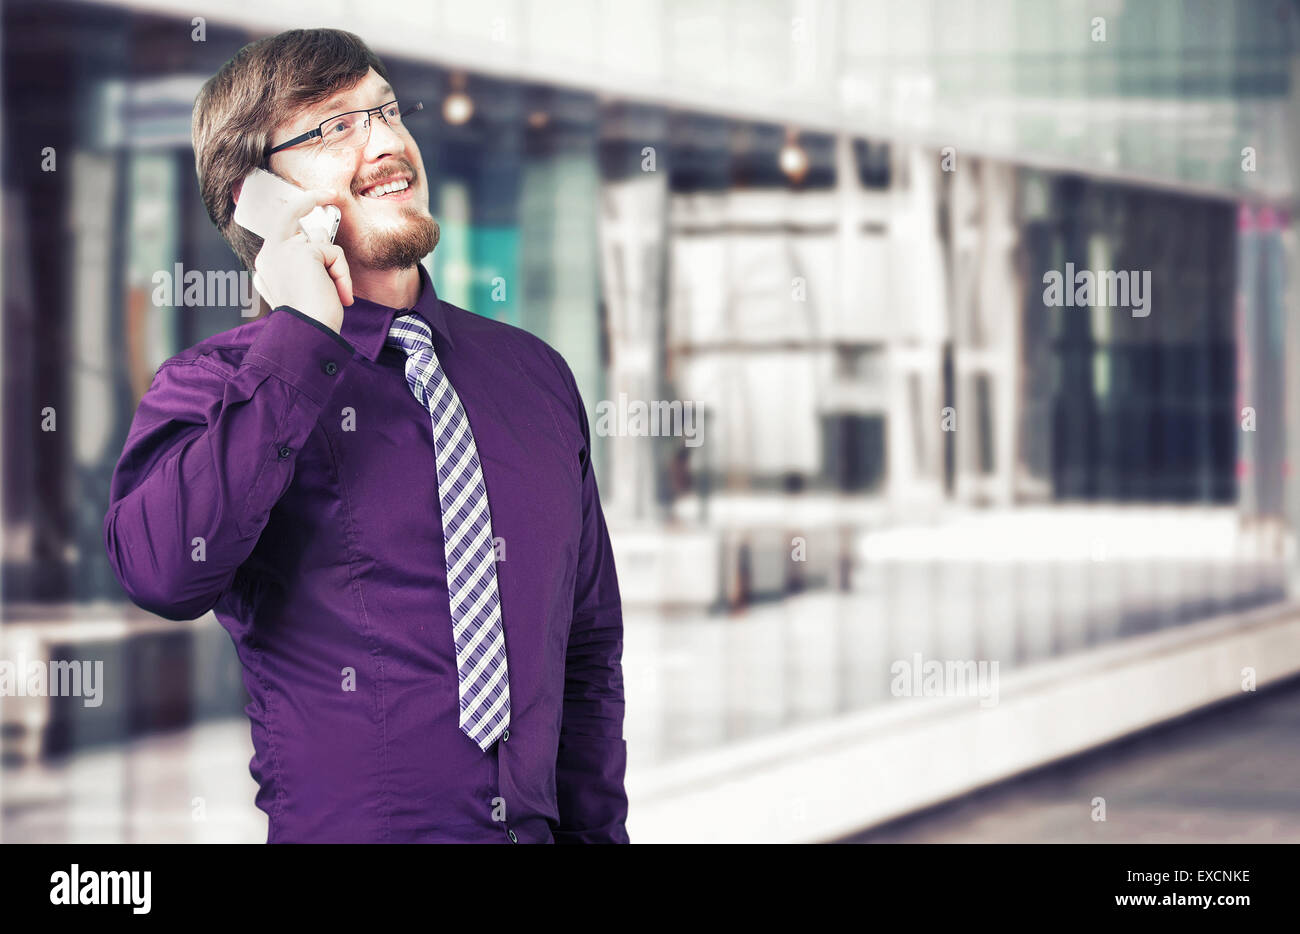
(284, 477)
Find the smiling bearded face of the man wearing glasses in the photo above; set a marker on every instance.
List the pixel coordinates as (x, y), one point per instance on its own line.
(391, 232)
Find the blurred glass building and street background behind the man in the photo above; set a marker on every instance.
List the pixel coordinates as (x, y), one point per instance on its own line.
(825, 226)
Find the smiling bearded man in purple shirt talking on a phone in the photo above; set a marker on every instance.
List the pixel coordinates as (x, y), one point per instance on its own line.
(391, 508)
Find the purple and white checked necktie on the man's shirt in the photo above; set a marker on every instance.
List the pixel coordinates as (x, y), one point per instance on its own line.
(467, 540)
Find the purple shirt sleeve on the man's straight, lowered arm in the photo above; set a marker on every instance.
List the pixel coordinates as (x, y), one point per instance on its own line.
(592, 762)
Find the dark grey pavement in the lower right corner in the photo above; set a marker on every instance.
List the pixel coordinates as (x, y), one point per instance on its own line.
(1225, 775)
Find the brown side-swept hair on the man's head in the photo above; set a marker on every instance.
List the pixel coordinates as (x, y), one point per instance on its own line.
(239, 107)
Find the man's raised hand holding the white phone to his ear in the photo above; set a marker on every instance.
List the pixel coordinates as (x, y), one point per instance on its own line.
(311, 276)
